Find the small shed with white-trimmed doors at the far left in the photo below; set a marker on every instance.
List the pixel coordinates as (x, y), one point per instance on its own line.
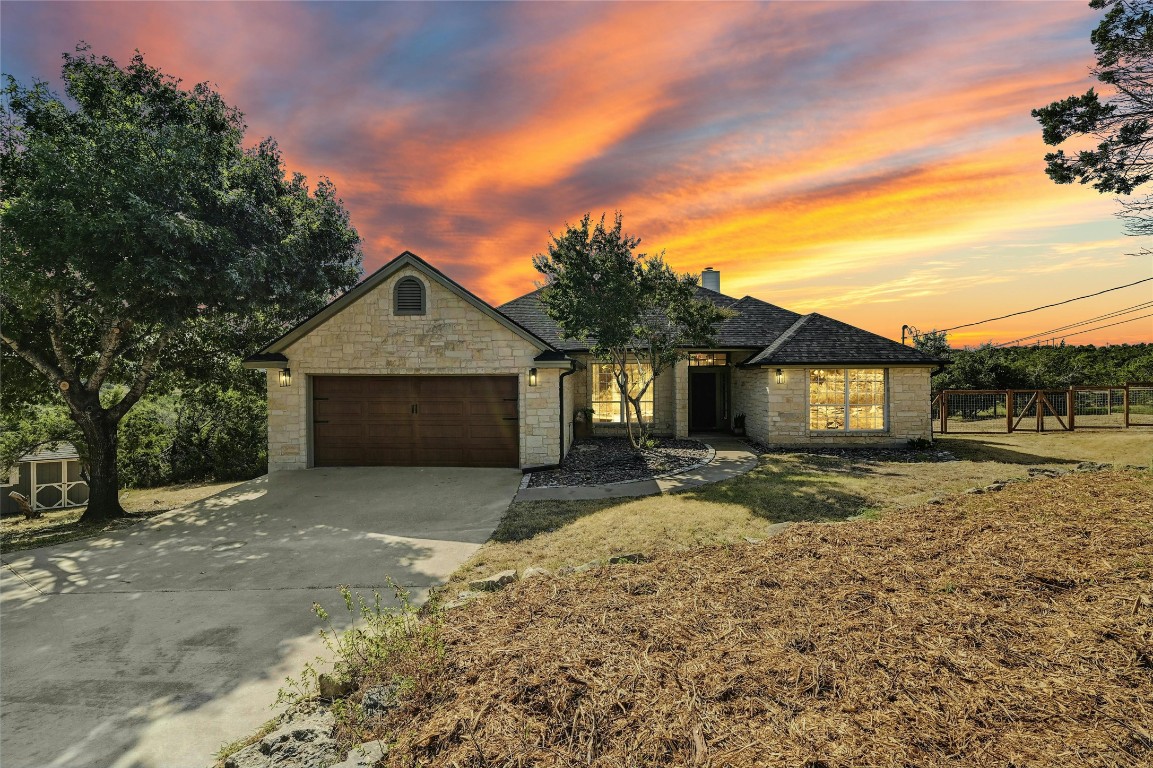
(49, 478)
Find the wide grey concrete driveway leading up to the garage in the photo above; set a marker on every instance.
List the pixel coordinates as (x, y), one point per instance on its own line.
(152, 647)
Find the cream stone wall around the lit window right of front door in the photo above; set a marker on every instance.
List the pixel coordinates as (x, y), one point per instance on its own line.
(778, 415)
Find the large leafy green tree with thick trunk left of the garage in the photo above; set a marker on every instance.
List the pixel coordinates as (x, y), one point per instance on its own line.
(144, 239)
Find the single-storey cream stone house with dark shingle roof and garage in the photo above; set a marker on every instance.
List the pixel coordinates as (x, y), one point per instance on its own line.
(410, 368)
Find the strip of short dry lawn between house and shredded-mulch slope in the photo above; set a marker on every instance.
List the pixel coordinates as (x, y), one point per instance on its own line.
(782, 488)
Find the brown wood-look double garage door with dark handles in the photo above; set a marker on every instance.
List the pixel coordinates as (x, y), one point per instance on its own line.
(416, 421)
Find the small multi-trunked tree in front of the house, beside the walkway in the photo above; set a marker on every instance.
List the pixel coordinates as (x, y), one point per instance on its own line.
(631, 308)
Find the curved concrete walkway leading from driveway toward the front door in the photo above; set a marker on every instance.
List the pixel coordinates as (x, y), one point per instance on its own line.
(733, 458)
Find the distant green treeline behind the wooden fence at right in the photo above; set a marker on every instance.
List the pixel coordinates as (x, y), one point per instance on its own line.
(992, 368)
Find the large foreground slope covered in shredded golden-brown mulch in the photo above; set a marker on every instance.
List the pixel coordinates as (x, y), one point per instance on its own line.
(1012, 629)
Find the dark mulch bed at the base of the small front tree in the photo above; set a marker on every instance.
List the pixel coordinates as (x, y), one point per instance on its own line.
(612, 461)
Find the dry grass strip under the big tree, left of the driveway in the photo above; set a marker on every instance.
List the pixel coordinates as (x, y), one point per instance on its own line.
(61, 526)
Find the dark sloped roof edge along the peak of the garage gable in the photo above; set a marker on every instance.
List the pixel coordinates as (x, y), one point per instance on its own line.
(269, 353)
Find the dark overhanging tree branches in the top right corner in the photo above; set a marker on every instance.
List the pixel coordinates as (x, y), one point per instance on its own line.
(1120, 123)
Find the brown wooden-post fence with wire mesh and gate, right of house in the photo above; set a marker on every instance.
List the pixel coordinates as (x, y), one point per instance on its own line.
(1011, 411)
